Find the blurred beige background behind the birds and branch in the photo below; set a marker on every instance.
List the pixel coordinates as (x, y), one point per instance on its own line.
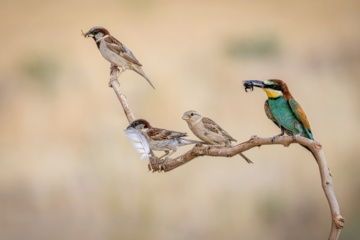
(67, 170)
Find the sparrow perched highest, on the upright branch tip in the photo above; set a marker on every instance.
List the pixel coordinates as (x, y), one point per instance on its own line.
(115, 52)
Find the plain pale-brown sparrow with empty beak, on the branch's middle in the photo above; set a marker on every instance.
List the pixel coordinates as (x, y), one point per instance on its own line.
(208, 131)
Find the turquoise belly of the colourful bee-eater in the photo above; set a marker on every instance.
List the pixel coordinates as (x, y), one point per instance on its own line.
(284, 115)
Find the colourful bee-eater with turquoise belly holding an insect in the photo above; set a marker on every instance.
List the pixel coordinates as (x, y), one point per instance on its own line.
(282, 108)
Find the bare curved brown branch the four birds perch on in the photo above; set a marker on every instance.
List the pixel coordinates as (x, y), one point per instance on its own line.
(200, 150)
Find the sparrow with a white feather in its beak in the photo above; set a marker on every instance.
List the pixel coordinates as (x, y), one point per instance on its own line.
(162, 139)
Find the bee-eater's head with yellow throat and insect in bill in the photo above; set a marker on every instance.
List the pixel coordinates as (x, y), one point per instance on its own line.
(274, 88)
